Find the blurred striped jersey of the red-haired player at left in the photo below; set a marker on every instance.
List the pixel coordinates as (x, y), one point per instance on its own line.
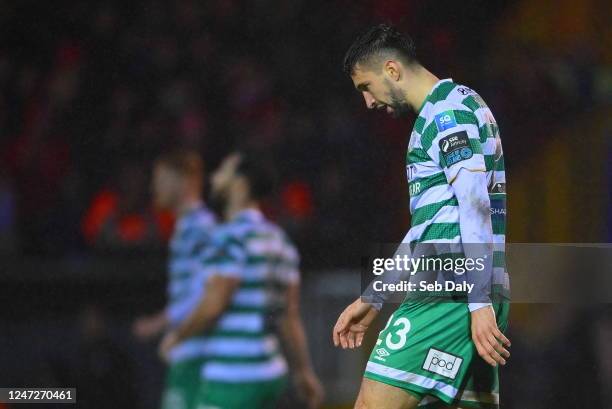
(192, 237)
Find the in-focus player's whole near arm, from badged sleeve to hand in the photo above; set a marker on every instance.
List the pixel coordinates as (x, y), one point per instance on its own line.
(457, 149)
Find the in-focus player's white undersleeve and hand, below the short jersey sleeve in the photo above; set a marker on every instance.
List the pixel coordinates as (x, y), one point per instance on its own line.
(470, 188)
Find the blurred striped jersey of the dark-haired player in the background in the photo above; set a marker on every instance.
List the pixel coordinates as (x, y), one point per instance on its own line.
(243, 346)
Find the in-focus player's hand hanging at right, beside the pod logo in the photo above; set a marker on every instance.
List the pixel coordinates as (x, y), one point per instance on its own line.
(489, 340)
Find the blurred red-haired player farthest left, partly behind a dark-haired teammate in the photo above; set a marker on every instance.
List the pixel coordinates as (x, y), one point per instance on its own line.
(177, 185)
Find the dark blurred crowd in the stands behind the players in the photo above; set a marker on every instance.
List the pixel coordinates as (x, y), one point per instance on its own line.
(92, 92)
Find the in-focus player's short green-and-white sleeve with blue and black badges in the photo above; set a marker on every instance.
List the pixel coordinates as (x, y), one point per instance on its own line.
(452, 140)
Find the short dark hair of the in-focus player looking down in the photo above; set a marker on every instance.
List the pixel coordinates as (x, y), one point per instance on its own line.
(379, 39)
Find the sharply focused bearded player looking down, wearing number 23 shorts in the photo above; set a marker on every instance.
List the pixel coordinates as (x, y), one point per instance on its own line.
(436, 354)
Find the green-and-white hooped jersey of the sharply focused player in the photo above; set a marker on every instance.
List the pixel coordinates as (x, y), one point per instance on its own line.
(454, 129)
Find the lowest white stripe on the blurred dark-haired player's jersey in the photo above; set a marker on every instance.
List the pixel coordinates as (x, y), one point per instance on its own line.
(244, 372)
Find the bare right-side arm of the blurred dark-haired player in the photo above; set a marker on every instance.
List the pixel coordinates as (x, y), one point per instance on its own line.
(293, 335)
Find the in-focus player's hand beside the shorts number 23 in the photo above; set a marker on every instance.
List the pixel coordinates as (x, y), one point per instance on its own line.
(352, 324)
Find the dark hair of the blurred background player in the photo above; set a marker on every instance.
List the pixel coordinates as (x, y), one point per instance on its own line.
(257, 168)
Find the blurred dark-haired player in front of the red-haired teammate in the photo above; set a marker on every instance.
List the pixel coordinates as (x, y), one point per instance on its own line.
(252, 295)
